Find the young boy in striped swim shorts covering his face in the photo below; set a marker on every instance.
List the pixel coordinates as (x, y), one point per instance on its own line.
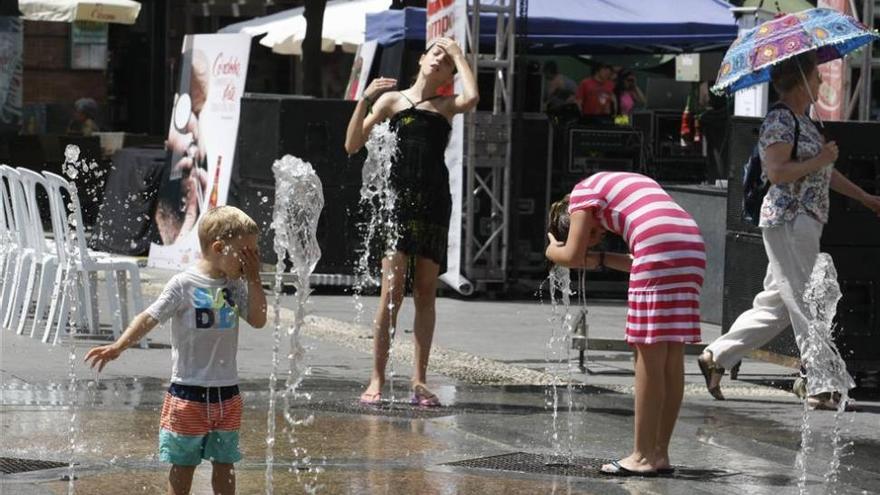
(201, 414)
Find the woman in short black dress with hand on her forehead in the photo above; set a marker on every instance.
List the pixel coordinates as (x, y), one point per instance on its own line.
(421, 118)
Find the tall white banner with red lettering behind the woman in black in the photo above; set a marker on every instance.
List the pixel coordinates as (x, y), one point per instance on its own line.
(448, 18)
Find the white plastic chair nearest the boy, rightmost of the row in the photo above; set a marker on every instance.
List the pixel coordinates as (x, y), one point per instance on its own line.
(75, 260)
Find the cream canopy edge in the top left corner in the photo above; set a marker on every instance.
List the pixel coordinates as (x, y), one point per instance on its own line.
(116, 11)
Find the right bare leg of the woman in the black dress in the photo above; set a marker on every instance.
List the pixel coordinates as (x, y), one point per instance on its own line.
(424, 298)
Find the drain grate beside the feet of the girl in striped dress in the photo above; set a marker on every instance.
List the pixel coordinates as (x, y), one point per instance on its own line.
(524, 462)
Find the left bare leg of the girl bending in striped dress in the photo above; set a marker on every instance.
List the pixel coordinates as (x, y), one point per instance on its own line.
(650, 387)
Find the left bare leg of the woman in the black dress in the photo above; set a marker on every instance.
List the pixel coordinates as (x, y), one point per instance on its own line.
(393, 284)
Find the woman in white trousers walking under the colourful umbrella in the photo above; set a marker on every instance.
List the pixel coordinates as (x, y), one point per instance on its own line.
(793, 214)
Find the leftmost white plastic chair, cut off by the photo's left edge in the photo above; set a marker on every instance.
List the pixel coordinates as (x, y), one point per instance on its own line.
(22, 257)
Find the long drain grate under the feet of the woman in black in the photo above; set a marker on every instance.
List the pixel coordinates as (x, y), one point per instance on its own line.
(406, 410)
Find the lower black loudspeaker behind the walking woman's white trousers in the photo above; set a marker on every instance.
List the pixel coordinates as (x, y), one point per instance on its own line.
(858, 271)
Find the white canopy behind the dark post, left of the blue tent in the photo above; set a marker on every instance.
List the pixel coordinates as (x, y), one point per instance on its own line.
(344, 24)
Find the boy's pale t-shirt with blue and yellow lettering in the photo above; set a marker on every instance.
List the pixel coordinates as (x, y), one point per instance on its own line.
(204, 315)
